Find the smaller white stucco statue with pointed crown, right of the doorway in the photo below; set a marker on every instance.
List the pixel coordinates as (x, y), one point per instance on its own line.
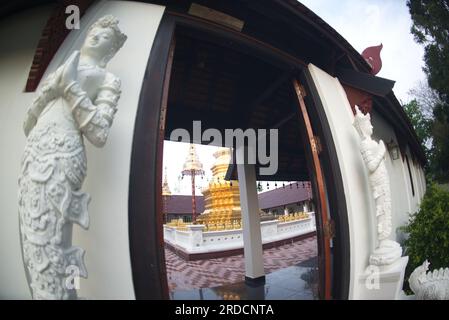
(373, 154)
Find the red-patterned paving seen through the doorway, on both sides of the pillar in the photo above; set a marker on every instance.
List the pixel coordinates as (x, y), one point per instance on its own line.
(187, 275)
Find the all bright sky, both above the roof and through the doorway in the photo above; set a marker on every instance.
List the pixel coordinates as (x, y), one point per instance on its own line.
(363, 23)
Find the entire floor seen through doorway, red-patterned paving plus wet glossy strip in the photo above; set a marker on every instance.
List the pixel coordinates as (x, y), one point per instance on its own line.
(290, 274)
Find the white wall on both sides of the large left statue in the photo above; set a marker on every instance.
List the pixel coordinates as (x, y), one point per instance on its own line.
(107, 242)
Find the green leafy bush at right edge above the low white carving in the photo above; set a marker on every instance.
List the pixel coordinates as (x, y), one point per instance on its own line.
(428, 231)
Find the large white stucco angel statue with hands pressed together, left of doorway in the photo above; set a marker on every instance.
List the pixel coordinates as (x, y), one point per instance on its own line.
(78, 100)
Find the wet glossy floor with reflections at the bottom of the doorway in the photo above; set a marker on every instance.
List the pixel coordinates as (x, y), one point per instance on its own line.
(298, 282)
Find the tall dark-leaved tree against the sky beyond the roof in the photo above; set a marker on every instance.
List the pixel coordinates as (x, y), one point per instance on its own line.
(431, 29)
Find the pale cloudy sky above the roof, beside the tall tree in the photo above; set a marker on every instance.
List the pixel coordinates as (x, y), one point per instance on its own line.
(365, 23)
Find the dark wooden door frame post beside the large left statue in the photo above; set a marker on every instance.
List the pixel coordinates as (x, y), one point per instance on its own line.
(145, 183)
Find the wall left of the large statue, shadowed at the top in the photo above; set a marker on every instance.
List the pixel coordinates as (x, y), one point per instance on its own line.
(16, 55)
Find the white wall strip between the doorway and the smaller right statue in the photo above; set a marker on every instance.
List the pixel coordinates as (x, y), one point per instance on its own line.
(359, 203)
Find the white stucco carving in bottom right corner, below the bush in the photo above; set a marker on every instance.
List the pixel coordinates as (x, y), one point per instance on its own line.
(430, 285)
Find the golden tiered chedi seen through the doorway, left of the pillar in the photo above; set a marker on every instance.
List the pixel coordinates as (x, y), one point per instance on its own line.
(221, 197)
